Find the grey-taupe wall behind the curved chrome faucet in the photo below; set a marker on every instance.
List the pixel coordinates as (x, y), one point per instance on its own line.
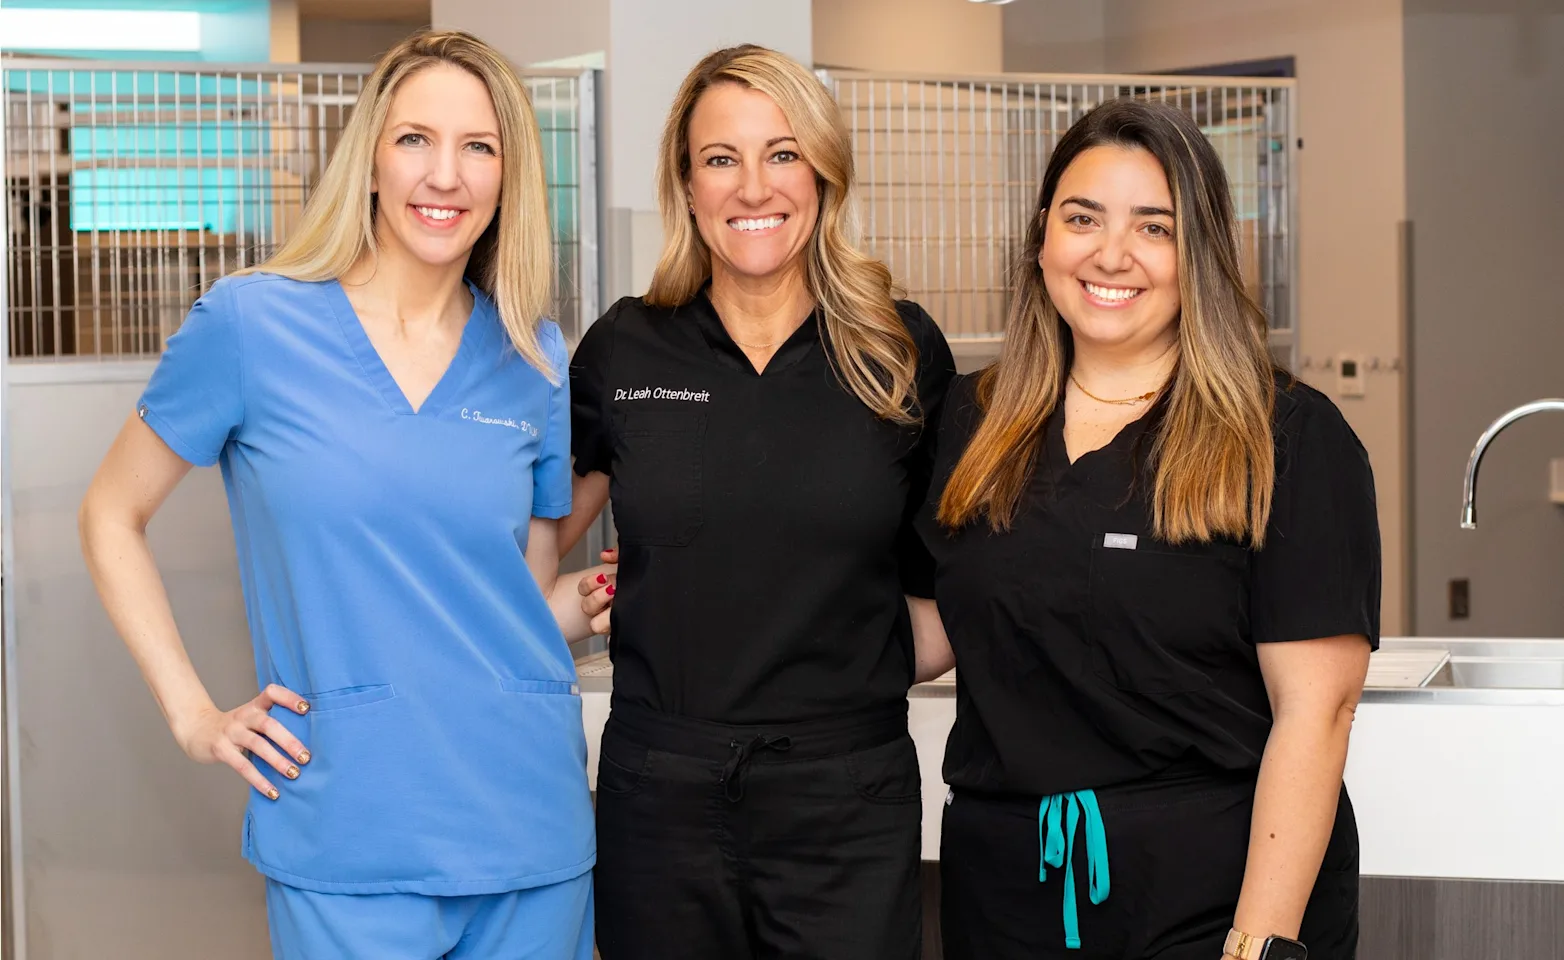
(1485, 131)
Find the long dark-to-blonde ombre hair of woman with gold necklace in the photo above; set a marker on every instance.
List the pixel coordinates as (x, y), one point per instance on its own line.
(1213, 456)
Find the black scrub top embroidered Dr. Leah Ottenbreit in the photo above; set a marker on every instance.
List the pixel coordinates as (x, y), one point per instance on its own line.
(766, 520)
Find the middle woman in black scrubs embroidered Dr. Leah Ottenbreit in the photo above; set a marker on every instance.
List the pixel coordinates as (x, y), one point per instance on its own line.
(758, 421)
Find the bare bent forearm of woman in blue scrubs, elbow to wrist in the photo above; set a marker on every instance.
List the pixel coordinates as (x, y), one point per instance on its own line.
(137, 603)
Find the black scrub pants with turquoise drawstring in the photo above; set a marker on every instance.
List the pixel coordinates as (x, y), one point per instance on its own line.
(1175, 851)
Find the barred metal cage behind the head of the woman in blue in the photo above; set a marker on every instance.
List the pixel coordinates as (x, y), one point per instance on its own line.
(132, 187)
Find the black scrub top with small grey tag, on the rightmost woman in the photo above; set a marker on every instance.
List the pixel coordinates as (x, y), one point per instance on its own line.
(1091, 654)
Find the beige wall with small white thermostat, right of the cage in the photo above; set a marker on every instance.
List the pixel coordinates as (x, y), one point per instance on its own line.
(1352, 190)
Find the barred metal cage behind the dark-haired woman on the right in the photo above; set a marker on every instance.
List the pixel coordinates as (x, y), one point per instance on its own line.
(950, 170)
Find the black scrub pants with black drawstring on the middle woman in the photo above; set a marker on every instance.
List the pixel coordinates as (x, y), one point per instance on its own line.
(736, 844)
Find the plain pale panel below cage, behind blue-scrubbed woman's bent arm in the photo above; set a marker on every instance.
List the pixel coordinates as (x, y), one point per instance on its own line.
(131, 850)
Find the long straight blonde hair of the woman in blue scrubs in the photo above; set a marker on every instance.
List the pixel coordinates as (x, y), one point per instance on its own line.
(512, 262)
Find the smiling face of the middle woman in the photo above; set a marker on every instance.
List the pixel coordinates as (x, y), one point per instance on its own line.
(756, 199)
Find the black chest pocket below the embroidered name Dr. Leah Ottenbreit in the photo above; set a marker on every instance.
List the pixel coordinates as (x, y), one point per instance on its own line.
(658, 471)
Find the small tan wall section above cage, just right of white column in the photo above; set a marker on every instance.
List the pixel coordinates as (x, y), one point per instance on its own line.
(927, 37)
